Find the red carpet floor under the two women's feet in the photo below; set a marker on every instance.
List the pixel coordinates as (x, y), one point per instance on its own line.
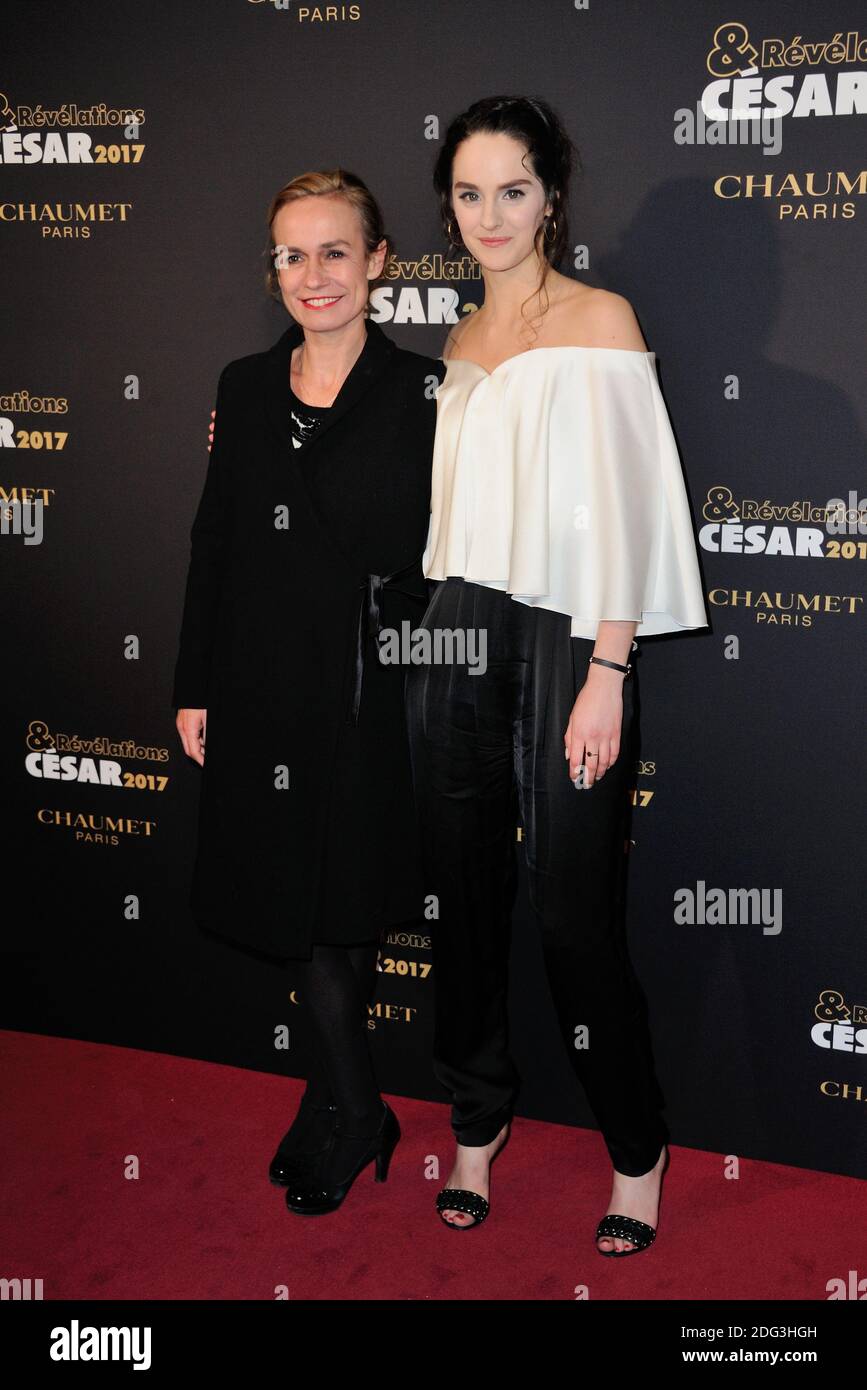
(204, 1223)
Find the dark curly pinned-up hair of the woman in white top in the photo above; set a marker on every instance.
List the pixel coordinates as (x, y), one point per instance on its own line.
(552, 156)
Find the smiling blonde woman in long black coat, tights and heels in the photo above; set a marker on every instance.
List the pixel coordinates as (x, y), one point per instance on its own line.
(308, 540)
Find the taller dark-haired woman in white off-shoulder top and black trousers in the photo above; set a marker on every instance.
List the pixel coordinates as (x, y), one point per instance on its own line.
(559, 532)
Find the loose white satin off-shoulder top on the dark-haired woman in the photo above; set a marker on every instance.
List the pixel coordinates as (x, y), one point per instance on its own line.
(556, 479)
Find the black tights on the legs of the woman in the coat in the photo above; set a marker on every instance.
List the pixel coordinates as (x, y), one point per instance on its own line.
(337, 986)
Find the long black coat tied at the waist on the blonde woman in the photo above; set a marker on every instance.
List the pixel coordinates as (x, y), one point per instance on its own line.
(306, 790)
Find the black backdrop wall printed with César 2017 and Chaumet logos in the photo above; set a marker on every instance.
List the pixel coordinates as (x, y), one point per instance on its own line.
(725, 194)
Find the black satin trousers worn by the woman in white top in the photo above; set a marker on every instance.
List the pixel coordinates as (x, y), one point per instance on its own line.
(487, 750)
